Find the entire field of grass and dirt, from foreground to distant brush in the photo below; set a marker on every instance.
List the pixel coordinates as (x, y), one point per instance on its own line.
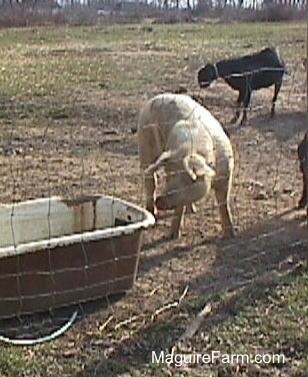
(69, 98)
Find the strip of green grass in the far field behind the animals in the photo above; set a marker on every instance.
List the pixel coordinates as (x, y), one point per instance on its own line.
(43, 68)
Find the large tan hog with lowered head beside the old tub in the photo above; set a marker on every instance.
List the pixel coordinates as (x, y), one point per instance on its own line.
(179, 134)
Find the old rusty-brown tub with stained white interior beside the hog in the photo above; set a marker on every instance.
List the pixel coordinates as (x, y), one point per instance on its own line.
(55, 252)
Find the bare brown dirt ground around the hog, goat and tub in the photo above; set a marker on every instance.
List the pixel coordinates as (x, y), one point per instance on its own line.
(91, 156)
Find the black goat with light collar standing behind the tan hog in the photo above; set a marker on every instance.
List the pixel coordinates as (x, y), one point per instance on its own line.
(245, 74)
